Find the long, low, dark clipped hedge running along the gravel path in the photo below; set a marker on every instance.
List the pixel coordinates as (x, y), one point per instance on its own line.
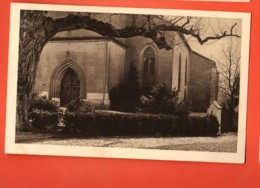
(126, 124)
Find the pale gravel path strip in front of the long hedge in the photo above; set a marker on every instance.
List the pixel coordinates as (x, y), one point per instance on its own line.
(223, 143)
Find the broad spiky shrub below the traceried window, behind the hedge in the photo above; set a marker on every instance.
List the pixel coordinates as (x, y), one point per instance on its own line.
(163, 99)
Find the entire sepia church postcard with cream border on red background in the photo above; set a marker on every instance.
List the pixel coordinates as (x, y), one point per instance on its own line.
(127, 83)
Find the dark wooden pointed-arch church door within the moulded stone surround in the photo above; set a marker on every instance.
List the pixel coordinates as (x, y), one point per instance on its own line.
(70, 87)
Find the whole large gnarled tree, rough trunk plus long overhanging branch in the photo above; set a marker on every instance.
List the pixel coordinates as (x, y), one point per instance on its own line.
(36, 29)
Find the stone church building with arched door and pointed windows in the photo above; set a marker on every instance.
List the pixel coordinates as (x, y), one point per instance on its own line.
(84, 64)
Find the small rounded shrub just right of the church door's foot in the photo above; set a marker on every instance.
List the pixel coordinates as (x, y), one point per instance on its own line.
(80, 106)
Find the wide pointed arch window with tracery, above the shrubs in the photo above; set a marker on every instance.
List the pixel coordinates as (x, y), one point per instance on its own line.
(149, 66)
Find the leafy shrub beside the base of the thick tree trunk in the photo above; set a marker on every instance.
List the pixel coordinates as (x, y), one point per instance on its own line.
(43, 112)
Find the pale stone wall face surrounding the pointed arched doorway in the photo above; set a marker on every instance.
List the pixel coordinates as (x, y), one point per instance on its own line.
(89, 55)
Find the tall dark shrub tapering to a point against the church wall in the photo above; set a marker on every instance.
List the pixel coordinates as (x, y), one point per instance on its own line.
(125, 97)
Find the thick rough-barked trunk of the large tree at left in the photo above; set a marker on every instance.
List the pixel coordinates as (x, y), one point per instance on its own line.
(35, 32)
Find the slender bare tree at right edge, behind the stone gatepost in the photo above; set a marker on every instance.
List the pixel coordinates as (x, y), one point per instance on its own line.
(229, 81)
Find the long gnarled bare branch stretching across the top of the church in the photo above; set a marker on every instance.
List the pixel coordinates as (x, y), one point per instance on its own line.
(148, 29)
